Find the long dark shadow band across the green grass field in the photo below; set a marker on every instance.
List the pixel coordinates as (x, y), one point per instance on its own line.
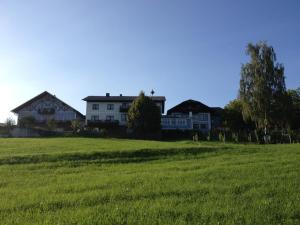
(142, 155)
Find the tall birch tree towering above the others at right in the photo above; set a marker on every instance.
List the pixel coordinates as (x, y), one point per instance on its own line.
(262, 88)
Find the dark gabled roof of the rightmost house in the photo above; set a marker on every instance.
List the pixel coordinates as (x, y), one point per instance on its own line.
(190, 106)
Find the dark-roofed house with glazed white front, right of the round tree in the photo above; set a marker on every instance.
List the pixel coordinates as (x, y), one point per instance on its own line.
(191, 115)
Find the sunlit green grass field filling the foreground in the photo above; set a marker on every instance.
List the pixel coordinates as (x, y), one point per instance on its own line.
(110, 181)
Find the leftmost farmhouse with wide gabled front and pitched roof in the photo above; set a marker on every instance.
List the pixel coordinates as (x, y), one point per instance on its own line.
(45, 107)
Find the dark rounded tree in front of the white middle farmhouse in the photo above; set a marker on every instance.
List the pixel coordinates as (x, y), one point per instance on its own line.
(144, 115)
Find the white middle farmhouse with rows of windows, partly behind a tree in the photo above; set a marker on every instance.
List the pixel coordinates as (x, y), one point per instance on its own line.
(113, 109)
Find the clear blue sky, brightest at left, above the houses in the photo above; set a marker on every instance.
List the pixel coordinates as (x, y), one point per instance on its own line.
(188, 49)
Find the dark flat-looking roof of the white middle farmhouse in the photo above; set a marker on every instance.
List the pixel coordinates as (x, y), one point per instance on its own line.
(119, 98)
